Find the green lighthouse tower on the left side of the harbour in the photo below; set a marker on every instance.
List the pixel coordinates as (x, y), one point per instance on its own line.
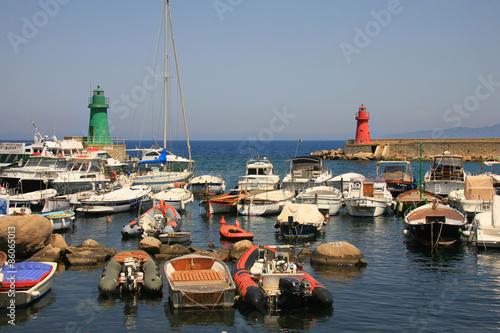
(98, 124)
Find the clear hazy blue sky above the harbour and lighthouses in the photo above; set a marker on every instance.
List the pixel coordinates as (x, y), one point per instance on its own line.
(250, 70)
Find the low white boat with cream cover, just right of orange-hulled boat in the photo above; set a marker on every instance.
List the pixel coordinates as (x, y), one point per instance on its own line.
(270, 202)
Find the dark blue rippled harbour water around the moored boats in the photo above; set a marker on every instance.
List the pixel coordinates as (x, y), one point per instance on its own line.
(405, 287)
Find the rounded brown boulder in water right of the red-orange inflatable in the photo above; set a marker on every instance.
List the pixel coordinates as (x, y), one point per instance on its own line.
(338, 253)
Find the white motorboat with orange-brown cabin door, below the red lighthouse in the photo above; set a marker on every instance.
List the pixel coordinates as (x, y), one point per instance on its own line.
(367, 196)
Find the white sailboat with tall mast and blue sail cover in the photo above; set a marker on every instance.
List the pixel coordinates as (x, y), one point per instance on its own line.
(162, 178)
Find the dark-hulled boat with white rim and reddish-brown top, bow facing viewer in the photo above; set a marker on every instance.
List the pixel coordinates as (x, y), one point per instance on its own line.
(435, 224)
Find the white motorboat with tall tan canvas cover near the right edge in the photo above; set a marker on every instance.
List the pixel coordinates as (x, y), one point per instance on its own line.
(478, 190)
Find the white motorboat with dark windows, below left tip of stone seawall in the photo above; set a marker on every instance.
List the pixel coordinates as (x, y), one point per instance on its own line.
(306, 171)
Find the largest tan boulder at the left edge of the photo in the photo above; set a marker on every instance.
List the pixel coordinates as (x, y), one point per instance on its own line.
(30, 233)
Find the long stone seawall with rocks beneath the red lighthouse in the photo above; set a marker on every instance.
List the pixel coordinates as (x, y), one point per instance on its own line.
(473, 149)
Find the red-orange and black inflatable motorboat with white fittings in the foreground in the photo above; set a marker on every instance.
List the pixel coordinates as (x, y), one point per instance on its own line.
(268, 276)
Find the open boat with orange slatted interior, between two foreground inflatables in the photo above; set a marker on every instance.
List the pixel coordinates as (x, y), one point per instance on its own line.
(197, 281)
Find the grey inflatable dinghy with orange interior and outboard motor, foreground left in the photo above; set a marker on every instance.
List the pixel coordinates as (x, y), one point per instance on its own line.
(130, 271)
